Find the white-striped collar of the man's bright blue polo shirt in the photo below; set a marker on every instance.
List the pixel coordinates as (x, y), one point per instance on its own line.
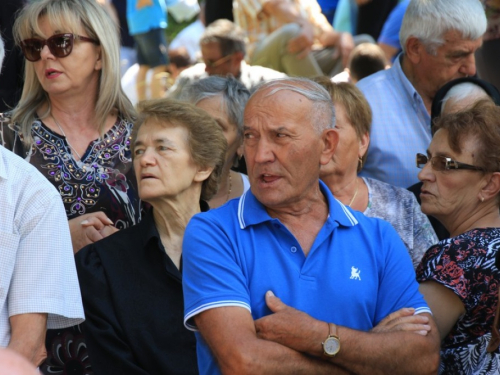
(252, 212)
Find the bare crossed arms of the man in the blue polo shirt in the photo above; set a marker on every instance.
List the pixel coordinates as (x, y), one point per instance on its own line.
(289, 341)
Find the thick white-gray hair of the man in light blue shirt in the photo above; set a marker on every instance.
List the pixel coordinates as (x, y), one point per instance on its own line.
(429, 20)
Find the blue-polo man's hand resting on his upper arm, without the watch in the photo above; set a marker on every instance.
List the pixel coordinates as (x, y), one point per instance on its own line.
(404, 319)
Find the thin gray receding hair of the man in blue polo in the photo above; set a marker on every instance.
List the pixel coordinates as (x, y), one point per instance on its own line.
(323, 116)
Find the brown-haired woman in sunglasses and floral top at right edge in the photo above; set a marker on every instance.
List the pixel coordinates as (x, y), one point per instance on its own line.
(461, 185)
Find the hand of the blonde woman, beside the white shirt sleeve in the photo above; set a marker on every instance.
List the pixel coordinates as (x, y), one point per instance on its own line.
(89, 228)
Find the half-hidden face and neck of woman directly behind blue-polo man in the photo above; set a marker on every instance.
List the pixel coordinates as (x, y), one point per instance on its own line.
(349, 148)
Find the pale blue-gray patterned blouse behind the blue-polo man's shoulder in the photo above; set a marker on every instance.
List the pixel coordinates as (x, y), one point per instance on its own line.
(399, 207)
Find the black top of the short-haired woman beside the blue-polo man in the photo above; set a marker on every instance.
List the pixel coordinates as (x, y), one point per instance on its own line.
(134, 307)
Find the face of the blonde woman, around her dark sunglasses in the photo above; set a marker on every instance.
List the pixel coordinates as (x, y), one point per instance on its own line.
(77, 73)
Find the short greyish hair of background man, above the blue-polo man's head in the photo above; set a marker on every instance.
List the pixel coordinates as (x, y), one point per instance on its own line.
(229, 36)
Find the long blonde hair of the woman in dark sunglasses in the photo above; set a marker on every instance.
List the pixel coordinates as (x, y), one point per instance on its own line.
(71, 16)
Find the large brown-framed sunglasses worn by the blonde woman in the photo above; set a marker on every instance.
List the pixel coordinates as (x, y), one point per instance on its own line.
(60, 45)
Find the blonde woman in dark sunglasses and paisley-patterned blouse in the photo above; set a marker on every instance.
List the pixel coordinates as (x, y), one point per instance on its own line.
(74, 124)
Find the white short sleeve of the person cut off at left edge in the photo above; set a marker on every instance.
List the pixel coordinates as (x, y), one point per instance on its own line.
(44, 277)
